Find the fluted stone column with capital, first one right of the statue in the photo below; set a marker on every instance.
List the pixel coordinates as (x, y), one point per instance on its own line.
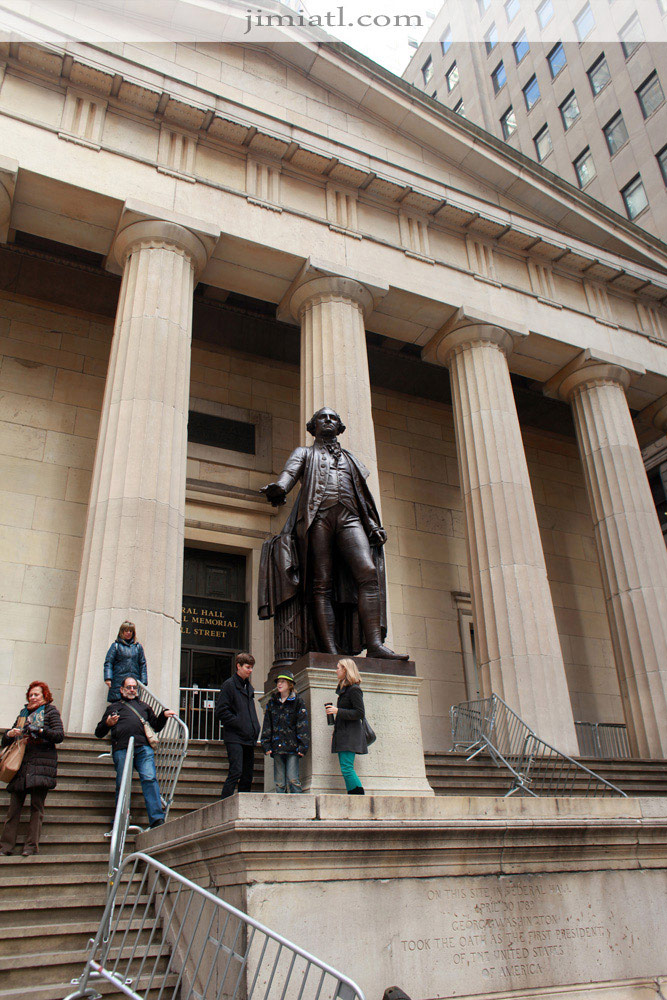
(515, 627)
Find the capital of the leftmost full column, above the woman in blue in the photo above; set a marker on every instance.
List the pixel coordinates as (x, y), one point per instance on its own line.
(147, 224)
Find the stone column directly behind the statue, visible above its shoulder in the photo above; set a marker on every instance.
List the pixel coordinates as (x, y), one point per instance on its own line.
(331, 309)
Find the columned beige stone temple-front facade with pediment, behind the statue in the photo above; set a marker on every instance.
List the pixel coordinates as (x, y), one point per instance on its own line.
(246, 232)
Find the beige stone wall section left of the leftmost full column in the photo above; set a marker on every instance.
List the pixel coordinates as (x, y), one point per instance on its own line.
(52, 367)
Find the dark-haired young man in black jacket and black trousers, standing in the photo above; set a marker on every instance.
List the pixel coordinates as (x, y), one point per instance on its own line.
(235, 709)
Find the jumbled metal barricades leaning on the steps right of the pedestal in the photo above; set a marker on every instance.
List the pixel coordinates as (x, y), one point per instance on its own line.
(537, 768)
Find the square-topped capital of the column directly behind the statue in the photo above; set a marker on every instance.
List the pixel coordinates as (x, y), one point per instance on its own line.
(319, 278)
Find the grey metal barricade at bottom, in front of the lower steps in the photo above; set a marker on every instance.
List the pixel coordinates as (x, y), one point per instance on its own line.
(162, 932)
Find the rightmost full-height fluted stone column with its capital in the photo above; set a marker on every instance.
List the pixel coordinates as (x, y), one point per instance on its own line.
(631, 549)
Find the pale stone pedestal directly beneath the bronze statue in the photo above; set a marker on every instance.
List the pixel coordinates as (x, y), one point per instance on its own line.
(394, 764)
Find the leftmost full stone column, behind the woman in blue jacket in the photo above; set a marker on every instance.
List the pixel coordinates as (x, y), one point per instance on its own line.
(132, 565)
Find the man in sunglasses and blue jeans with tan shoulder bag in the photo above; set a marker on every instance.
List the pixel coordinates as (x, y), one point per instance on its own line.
(125, 718)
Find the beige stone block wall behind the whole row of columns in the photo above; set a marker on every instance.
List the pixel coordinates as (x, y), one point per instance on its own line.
(51, 383)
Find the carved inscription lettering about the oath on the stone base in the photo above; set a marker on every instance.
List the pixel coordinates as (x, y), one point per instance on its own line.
(507, 930)
